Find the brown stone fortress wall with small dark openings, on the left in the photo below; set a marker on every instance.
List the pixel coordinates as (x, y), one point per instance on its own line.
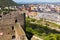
(7, 22)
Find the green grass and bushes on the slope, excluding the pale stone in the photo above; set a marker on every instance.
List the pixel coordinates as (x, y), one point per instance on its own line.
(38, 29)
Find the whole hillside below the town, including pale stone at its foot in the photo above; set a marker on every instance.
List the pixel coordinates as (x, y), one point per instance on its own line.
(41, 28)
